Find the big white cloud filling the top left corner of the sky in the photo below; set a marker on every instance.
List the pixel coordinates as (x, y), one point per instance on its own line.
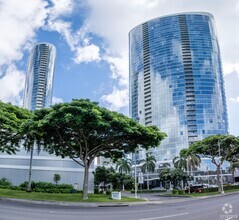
(18, 22)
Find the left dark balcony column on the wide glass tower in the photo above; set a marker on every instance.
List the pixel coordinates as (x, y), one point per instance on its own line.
(147, 77)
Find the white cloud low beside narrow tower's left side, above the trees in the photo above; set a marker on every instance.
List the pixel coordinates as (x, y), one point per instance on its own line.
(11, 84)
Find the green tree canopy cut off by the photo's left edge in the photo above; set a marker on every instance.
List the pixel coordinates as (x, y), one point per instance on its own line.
(11, 119)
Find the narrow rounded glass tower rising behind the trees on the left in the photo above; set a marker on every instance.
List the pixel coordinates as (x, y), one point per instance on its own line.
(39, 77)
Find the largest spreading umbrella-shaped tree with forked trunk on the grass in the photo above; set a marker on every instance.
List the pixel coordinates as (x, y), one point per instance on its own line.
(82, 130)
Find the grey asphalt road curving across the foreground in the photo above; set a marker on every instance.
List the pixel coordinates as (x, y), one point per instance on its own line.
(209, 208)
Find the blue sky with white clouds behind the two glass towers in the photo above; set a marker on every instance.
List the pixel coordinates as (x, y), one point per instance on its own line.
(91, 37)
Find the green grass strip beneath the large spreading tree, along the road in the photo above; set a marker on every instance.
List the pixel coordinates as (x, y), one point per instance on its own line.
(61, 197)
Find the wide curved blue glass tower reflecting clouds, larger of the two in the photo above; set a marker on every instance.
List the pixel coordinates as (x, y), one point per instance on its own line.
(176, 80)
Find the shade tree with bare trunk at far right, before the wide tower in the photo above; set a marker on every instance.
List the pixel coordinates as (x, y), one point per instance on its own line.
(218, 148)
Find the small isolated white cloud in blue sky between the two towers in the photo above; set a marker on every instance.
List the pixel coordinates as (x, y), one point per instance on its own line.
(87, 54)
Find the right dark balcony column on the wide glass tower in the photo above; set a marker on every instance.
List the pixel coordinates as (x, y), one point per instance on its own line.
(189, 80)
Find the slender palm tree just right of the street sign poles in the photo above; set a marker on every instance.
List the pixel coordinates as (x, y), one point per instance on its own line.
(148, 166)
